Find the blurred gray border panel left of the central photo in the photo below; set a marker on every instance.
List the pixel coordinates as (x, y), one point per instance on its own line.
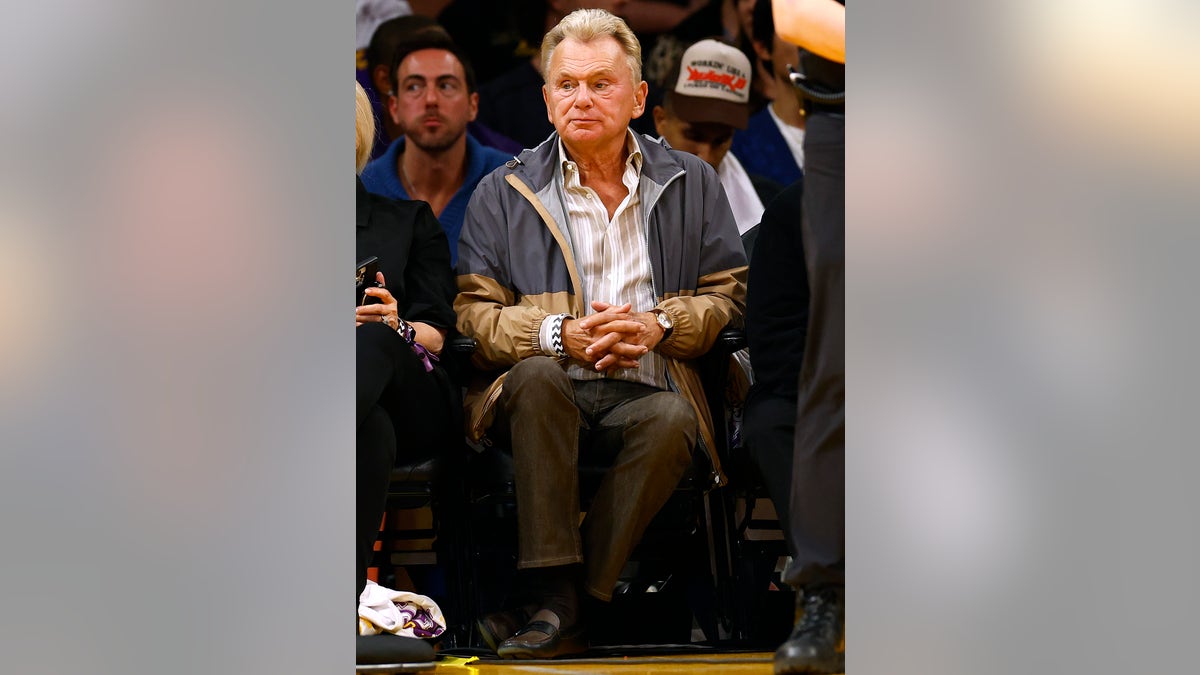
(176, 458)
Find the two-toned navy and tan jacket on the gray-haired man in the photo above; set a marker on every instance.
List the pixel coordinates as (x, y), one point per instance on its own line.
(517, 266)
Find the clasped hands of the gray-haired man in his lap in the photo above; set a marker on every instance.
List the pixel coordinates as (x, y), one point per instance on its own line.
(611, 339)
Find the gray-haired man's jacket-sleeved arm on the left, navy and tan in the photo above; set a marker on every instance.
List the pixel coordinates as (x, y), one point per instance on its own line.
(487, 303)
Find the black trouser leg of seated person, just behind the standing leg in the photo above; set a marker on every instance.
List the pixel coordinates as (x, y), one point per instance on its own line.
(769, 434)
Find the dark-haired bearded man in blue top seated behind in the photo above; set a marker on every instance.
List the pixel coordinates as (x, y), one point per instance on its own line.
(436, 162)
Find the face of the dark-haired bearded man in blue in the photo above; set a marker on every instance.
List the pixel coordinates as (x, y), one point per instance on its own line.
(431, 104)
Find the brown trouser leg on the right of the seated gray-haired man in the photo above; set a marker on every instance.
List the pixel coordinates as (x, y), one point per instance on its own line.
(659, 432)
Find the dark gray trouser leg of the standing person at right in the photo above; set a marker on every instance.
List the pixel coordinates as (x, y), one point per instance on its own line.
(818, 501)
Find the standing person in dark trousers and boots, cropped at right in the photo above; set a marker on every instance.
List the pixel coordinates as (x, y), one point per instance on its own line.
(818, 511)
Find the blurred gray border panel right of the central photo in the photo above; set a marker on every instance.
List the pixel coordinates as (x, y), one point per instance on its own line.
(1022, 241)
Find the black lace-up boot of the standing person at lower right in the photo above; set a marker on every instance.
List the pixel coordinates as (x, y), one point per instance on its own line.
(819, 641)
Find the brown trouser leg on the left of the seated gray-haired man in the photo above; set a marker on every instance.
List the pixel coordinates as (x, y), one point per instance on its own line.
(543, 425)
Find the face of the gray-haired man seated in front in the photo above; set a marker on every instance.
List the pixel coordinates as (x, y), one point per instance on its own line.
(590, 93)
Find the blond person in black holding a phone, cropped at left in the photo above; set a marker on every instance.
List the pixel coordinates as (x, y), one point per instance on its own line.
(406, 403)
